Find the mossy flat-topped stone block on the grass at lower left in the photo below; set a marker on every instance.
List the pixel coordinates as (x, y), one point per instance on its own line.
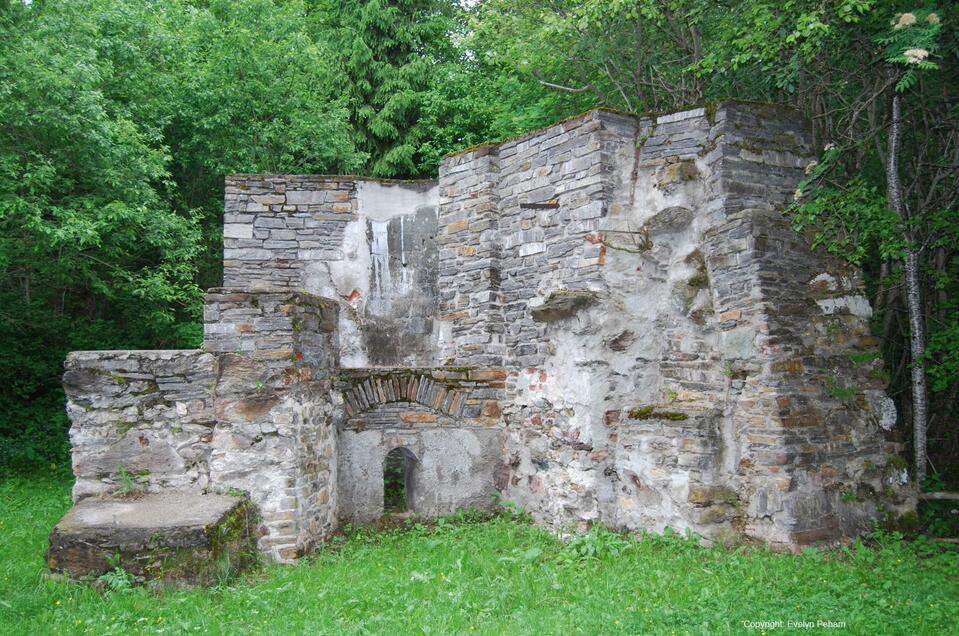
(179, 538)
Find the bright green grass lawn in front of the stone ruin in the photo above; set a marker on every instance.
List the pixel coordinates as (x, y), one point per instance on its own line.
(494, 577)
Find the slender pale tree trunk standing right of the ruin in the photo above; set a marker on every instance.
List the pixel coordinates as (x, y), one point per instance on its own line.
(913, 297)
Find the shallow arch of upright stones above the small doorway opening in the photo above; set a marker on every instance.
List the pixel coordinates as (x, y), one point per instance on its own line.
(417, 388)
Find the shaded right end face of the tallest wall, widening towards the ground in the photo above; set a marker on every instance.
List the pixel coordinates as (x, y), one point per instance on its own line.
(805, 451)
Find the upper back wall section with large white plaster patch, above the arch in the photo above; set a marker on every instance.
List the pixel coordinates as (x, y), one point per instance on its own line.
(367, 244)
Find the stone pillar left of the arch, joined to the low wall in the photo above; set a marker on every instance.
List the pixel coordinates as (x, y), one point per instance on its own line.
(274, 438)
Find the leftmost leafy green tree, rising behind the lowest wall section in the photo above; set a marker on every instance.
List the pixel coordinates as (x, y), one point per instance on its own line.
(89, 248)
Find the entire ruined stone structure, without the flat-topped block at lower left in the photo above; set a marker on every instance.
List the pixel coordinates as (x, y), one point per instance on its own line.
(608, 320)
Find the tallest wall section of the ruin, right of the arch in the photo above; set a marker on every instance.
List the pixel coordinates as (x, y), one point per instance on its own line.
(713, 374)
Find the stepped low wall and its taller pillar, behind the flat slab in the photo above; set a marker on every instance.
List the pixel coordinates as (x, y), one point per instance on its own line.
(250, 413)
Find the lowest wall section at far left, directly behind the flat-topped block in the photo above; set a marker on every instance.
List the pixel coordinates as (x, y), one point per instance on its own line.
(149, 412)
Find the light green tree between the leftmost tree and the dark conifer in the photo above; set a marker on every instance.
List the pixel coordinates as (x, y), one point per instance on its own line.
(255, 91)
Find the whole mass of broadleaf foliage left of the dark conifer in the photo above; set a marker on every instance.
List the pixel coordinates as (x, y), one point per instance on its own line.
(118, 121)
